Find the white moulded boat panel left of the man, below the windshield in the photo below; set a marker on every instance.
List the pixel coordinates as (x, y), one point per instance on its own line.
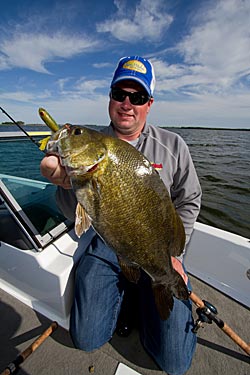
(42, 280)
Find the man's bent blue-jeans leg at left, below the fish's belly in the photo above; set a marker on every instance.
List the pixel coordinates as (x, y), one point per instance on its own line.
(96, 304)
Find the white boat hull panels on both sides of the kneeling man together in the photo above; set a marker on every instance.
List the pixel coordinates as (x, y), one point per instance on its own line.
(45, 280)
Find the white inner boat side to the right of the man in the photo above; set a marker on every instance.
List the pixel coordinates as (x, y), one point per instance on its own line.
(222, 260)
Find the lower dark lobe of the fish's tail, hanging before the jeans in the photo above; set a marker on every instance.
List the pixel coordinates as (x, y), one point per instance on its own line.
(163, 299)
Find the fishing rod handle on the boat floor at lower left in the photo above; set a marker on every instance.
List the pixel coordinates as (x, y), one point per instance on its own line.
(14, 366)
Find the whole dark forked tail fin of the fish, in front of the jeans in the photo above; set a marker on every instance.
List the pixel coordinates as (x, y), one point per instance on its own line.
(163, 294)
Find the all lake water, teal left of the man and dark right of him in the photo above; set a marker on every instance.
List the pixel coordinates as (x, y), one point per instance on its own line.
(221, 157)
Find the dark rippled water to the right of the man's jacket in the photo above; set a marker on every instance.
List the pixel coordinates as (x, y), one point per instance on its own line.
(222, 161)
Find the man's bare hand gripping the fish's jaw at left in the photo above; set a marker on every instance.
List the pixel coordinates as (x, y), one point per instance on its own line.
(52, 169)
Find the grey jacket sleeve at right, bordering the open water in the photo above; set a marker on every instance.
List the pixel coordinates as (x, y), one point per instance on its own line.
(186, 190)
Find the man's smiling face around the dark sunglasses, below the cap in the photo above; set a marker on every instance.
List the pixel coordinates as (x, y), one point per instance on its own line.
(126, 117)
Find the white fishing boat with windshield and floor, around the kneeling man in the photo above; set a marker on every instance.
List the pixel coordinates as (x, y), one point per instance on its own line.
(38, 255)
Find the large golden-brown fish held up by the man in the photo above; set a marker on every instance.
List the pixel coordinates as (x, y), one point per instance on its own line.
(128, 205)
